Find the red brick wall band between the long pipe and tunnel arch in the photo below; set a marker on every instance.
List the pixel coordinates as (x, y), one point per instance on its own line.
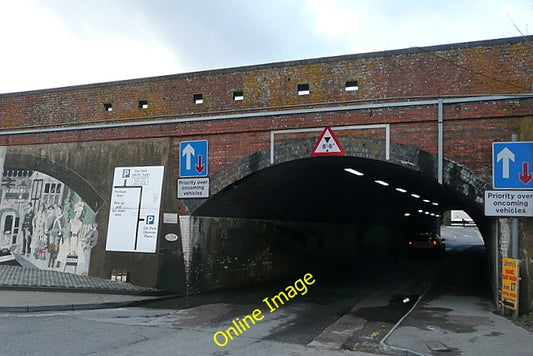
(469, 131)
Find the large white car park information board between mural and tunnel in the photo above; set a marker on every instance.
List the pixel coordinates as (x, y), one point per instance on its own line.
(134, 211)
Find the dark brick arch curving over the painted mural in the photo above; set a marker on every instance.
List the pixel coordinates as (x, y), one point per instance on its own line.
(59, 172)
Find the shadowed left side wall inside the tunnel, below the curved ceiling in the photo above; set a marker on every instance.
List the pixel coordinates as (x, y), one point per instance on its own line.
(230, 252)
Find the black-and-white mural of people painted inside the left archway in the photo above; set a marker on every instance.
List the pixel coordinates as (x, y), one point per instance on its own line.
(44, 223)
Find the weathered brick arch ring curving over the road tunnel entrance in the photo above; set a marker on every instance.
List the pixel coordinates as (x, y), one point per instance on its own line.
(455, 175)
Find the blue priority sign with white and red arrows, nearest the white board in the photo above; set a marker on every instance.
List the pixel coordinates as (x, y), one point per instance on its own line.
(194, 158)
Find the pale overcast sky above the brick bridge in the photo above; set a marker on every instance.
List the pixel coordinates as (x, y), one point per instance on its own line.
(53, 43)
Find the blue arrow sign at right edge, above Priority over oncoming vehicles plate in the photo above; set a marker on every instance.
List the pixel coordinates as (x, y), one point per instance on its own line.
(512, 165)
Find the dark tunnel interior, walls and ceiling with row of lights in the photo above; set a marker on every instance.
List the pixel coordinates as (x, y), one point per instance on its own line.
(324, 215)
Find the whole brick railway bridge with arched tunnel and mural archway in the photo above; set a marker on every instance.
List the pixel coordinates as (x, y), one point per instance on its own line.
(421, 120)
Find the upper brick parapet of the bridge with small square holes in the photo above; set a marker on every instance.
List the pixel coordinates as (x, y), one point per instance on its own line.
(487, 67)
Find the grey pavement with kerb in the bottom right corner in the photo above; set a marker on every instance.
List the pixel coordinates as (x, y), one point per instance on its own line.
(456, 325)
